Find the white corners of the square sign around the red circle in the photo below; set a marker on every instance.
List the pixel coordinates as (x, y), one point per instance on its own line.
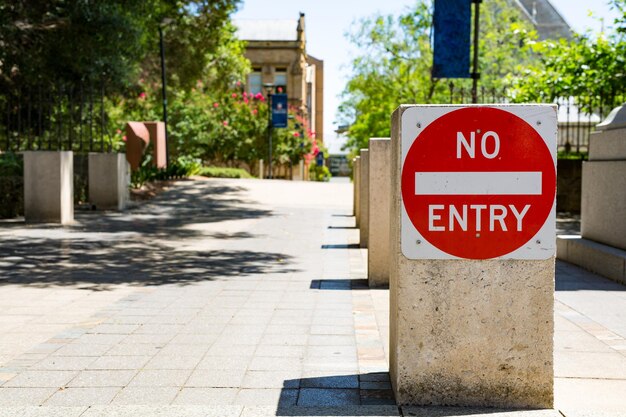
(540, 117)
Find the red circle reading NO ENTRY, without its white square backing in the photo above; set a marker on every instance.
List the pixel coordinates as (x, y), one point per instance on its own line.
(478, 183)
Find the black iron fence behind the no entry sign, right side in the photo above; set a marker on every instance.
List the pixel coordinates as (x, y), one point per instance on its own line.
(577, 116)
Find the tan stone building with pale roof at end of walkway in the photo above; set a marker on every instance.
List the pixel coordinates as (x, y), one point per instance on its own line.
(277, 51)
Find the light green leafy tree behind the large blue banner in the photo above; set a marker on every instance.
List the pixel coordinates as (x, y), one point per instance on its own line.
(396, 66)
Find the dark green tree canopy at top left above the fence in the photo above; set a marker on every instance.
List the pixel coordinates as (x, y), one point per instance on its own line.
(72, 41)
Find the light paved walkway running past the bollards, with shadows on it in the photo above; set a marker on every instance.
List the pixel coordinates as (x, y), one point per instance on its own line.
(239, 298)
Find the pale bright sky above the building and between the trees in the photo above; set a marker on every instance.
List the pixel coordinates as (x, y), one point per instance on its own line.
(327, 21)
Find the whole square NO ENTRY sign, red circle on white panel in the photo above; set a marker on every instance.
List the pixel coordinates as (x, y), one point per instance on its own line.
(478, 182)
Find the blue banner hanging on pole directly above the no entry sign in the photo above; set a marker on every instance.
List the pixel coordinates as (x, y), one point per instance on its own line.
(452, 25)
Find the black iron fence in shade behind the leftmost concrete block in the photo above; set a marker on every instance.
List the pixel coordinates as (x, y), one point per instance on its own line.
(54, 117)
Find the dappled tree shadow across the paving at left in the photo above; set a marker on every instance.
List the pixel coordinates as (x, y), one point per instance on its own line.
(170, 240)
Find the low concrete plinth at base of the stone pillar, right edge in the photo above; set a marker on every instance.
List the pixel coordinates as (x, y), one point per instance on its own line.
(604, 260)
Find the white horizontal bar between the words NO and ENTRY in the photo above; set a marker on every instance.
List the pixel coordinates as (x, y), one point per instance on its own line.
(477, 183)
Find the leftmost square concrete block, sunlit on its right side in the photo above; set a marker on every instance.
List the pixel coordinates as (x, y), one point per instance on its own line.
(49, 187)
